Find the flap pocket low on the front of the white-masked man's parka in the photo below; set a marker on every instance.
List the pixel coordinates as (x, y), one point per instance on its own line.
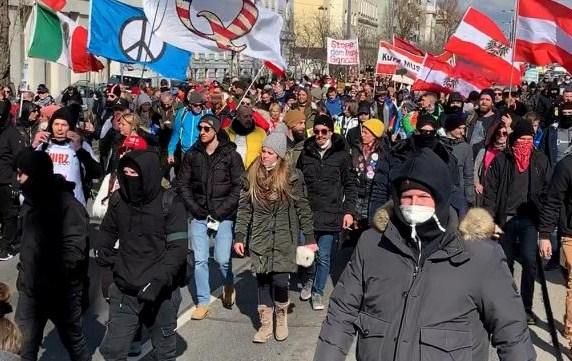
(438, 344)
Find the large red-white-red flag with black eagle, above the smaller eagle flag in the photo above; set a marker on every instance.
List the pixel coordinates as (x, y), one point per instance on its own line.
(479, 39)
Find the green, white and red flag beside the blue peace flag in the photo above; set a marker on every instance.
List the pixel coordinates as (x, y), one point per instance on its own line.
(57, 38)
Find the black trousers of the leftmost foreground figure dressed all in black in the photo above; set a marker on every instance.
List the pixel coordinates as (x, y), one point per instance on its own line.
(32, 314)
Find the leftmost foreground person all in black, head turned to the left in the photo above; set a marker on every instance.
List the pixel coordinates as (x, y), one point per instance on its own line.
(54, 257)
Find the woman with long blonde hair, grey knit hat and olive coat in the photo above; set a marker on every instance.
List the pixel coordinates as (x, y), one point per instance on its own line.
(275, 209)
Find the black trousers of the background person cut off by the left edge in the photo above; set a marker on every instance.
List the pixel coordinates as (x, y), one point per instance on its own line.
(8, 217)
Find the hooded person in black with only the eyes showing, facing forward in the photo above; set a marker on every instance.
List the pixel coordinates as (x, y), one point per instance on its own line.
(143, 239)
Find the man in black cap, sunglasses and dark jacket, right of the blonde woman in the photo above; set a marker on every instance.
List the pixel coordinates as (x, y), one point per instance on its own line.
(332, 190)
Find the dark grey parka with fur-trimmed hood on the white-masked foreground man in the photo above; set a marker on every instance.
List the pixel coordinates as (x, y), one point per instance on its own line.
(442, 310)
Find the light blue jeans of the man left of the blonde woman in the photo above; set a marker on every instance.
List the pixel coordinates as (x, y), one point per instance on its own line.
(200, 240)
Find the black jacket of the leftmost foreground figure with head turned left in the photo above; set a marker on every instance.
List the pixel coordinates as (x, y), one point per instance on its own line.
(54, 240)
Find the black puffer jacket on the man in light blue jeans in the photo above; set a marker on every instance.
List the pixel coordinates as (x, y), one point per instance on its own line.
(210, 184)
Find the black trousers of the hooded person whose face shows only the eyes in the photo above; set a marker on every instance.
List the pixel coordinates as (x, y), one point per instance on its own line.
(127, 313)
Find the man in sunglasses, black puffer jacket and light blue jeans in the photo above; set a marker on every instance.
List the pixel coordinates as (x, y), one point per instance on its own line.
(210, 183)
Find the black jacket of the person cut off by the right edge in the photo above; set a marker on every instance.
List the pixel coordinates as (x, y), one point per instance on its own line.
(557, 208)
